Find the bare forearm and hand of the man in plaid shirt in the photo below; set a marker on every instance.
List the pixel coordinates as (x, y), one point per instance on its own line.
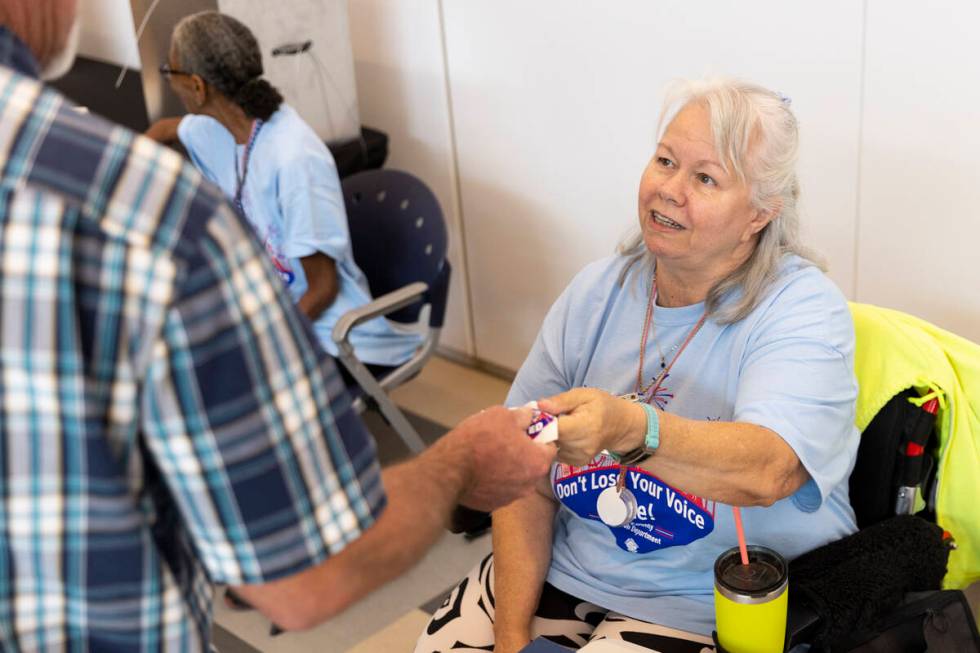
(484, 463)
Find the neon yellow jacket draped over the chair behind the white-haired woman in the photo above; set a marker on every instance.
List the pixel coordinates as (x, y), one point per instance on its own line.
(894, 351)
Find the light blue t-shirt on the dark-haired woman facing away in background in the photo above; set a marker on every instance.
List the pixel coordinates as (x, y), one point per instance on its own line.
(293, 200)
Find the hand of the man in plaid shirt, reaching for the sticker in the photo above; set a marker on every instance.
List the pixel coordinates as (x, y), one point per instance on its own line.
(500, 462)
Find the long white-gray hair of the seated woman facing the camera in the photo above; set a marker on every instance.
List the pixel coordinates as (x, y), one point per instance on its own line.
(757, 139)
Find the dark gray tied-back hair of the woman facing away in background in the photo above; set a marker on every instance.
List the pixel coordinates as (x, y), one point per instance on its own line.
(224, 52)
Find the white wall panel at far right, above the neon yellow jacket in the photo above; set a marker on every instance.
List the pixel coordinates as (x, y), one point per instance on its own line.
(920, 163)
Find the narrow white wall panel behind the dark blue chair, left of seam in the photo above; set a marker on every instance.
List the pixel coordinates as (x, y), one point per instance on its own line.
(401, 86)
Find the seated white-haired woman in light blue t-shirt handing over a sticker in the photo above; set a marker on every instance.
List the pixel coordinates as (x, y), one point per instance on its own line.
(709, 364)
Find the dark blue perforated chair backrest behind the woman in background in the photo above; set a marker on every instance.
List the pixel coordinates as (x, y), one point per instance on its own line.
(399, 236)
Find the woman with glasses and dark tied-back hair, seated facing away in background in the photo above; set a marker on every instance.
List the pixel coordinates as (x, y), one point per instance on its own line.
(279, 174)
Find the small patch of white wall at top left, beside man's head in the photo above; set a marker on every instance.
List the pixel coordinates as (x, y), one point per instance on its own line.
(107, 32)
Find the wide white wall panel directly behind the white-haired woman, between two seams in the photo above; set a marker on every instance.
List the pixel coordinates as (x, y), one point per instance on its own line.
(555, 105)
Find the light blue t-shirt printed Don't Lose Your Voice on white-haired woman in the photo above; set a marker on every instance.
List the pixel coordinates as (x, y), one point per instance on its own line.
(788, 366)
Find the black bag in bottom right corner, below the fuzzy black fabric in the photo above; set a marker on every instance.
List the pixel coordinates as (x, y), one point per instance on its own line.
(938, 622)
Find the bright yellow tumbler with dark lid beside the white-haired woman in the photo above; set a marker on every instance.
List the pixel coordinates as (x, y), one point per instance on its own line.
(750, 601)
